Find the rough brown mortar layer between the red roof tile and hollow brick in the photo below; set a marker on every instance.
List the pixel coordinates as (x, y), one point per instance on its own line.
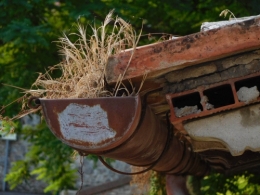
(212, 72)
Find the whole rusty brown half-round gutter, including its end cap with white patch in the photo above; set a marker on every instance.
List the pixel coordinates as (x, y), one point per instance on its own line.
(119, 128)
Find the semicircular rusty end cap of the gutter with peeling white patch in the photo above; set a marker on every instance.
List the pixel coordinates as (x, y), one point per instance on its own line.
(92, 124)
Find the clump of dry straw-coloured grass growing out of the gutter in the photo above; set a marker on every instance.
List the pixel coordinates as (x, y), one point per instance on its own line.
(83, 65)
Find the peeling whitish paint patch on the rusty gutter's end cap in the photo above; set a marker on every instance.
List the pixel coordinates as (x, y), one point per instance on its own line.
(85, 123)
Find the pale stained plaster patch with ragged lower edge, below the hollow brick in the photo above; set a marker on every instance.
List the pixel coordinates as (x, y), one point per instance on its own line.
(238, 129)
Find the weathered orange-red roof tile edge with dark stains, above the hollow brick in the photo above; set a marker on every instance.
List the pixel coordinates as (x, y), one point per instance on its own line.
(157, 59)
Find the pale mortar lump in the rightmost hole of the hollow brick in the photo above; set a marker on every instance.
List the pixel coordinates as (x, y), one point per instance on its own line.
(247, 95)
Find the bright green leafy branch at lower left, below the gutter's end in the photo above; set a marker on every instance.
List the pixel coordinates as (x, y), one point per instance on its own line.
(47, 158)
